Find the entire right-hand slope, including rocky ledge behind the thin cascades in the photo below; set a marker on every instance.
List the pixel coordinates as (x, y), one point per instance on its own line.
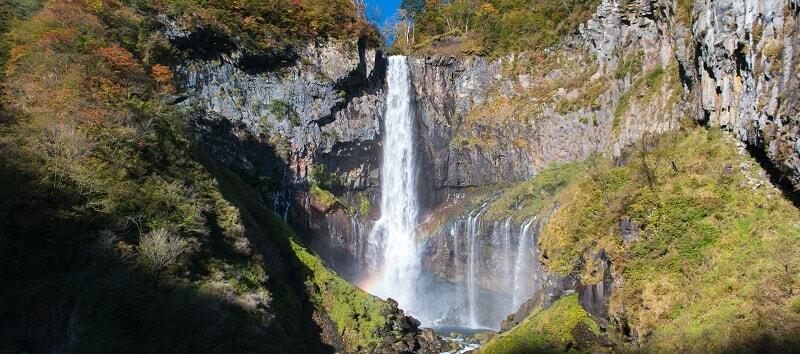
(680, 245)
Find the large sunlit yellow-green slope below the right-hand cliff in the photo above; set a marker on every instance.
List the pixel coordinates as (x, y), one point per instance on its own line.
(715, 266)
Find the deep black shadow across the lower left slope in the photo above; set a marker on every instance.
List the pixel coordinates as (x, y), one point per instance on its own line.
(61, 291)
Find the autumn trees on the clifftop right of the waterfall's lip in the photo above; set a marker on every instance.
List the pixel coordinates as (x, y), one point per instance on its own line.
(486, 27)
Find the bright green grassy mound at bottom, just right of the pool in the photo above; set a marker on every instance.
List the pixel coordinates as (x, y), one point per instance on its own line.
(551, 330)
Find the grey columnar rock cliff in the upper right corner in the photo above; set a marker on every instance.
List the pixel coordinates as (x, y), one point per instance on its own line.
(746, 75)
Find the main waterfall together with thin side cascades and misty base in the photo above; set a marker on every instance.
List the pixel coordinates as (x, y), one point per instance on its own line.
(492, 265)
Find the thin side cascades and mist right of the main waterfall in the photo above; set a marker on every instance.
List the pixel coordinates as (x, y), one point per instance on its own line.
(491, 268)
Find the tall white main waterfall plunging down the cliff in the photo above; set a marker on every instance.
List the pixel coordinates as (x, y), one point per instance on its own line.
(393, 237)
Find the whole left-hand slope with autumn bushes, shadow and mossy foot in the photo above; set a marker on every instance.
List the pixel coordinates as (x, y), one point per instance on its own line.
(96, 157)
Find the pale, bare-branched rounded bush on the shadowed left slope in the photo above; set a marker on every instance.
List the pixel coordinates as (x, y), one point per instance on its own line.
(158, 249)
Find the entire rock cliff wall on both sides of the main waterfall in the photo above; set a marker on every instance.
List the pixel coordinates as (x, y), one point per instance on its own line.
(634, 69)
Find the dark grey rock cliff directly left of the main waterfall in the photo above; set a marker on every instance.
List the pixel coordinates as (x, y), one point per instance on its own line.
(306, 131)
